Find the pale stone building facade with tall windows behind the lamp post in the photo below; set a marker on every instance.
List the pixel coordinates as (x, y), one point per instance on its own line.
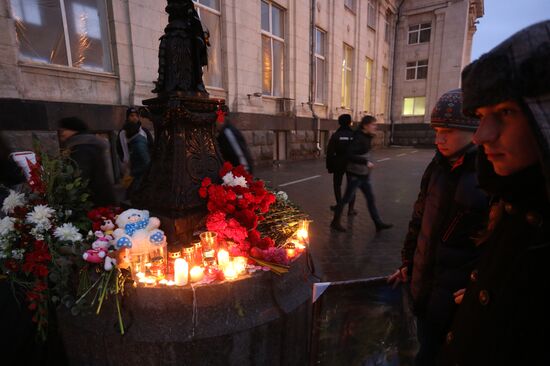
(286, 69)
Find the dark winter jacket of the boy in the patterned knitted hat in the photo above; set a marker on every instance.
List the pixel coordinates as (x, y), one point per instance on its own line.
(439, 250)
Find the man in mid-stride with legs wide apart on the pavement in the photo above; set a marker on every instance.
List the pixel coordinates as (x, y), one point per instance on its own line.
(358, 169)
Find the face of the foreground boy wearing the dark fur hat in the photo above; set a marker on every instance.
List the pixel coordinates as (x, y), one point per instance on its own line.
(506, 137)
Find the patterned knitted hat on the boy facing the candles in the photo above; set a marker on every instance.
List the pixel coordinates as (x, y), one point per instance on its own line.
(447, 113)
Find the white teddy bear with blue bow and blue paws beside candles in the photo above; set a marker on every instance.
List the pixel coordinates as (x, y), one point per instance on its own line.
(137, 231)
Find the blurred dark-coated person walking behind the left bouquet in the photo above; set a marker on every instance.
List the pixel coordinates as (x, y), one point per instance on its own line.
(91, 157)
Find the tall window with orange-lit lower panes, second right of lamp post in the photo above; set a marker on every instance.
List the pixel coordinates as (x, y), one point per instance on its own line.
(273, 47)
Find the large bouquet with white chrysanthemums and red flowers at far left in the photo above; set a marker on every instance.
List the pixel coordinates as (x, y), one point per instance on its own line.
(39, 230)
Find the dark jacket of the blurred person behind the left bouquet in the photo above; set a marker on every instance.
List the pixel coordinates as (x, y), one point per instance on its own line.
(92, 159)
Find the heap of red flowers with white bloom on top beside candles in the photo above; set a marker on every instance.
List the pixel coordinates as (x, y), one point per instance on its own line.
(235, 207)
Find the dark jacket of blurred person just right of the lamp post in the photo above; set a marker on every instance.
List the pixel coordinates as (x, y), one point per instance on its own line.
(233, 147)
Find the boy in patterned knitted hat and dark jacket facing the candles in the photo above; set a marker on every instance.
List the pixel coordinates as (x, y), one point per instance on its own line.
(439, 251)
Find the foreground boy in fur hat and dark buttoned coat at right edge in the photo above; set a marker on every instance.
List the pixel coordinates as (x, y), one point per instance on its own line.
(504, 315)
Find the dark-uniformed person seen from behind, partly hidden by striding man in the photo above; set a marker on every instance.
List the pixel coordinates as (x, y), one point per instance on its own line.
(337, 158)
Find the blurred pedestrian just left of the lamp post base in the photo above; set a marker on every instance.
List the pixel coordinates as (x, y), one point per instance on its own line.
(134, 146)
